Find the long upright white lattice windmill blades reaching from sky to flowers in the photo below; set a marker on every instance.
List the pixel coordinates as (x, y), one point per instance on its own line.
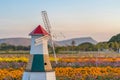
(49, 30)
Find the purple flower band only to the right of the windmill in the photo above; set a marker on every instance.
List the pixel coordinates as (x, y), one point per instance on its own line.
(84, 64)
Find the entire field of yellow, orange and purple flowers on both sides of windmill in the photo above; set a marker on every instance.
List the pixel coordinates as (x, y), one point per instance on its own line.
(68, 68)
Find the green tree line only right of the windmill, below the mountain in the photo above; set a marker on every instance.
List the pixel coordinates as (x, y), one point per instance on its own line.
(101, 46)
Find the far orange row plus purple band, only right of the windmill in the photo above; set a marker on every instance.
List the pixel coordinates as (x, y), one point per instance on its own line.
(89, 62)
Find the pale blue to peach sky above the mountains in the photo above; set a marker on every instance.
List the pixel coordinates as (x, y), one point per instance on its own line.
(99, 19)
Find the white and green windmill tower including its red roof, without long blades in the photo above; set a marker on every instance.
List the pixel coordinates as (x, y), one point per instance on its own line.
(39, 66)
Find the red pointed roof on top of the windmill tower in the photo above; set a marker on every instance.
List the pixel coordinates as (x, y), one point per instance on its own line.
(39, 31)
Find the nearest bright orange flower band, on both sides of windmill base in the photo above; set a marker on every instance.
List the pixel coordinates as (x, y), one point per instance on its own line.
(68, 72)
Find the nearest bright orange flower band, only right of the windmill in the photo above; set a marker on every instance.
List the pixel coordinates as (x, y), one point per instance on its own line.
(88, 72)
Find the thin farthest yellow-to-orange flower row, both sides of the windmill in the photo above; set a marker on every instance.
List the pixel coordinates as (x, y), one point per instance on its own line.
(24, 59)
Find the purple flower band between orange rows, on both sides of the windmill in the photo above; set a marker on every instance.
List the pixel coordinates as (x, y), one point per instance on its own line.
(17, 65)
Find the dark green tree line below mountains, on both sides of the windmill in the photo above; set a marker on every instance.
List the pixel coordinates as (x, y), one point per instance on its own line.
(101, 46)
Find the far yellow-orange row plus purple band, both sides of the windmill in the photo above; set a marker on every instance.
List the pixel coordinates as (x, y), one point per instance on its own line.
(16, 63)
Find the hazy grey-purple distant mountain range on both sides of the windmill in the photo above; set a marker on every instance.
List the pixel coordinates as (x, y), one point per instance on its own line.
(26, 41)
